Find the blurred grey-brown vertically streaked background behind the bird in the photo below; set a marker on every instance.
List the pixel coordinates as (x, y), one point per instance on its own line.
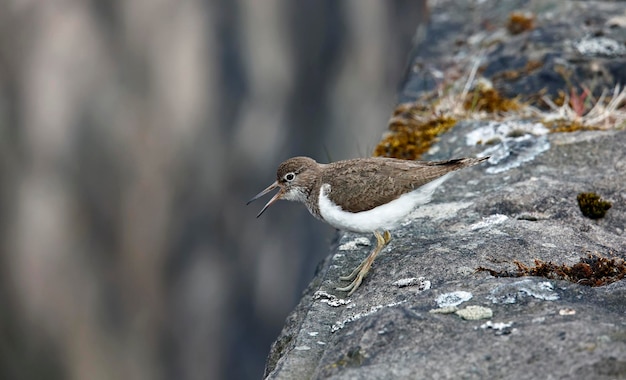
(132, 133)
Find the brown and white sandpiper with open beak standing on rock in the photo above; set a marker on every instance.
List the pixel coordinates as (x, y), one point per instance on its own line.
(365, 195)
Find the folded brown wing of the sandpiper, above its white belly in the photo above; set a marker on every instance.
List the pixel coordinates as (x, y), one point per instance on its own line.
(374, 181)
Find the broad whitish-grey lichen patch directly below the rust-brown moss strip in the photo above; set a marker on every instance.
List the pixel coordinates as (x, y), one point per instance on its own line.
(511, 293)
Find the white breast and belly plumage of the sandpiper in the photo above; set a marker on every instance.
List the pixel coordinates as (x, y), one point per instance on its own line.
(384, 217)
